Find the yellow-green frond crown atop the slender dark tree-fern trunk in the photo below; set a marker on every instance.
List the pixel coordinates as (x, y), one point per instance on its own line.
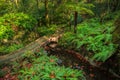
(80, 6)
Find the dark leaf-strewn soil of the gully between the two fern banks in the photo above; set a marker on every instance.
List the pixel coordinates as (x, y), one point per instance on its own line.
(69, 58)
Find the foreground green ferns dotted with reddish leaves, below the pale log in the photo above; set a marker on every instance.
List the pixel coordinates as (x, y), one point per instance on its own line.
(44, 67)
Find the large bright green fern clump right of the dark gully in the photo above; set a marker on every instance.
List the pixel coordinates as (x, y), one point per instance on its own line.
(94, 37)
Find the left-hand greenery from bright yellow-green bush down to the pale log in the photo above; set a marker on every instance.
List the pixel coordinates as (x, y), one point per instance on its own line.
(13, 26)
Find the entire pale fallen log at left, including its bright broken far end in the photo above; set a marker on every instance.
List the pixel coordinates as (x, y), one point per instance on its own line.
(32, 47)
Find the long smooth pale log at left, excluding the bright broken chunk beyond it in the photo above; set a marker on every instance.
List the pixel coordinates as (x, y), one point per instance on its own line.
(17, 54)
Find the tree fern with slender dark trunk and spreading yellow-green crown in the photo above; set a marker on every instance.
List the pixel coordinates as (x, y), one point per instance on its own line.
(79, 7)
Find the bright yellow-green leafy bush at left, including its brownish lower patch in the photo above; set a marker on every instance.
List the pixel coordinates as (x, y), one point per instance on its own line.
(10, 23)
